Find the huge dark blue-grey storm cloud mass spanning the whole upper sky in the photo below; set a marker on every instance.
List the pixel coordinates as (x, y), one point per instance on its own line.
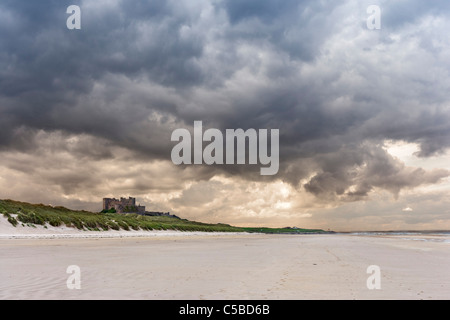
(136, 71)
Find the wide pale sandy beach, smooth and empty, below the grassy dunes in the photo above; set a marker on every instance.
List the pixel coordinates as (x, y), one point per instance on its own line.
(180, 265)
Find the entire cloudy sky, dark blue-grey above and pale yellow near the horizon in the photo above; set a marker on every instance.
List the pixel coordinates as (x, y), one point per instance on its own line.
(363, 113)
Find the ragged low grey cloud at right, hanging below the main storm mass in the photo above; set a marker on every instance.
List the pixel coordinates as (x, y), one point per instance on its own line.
(364, 169)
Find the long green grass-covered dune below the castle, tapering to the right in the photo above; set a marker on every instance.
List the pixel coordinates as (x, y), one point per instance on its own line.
(26, 214)
